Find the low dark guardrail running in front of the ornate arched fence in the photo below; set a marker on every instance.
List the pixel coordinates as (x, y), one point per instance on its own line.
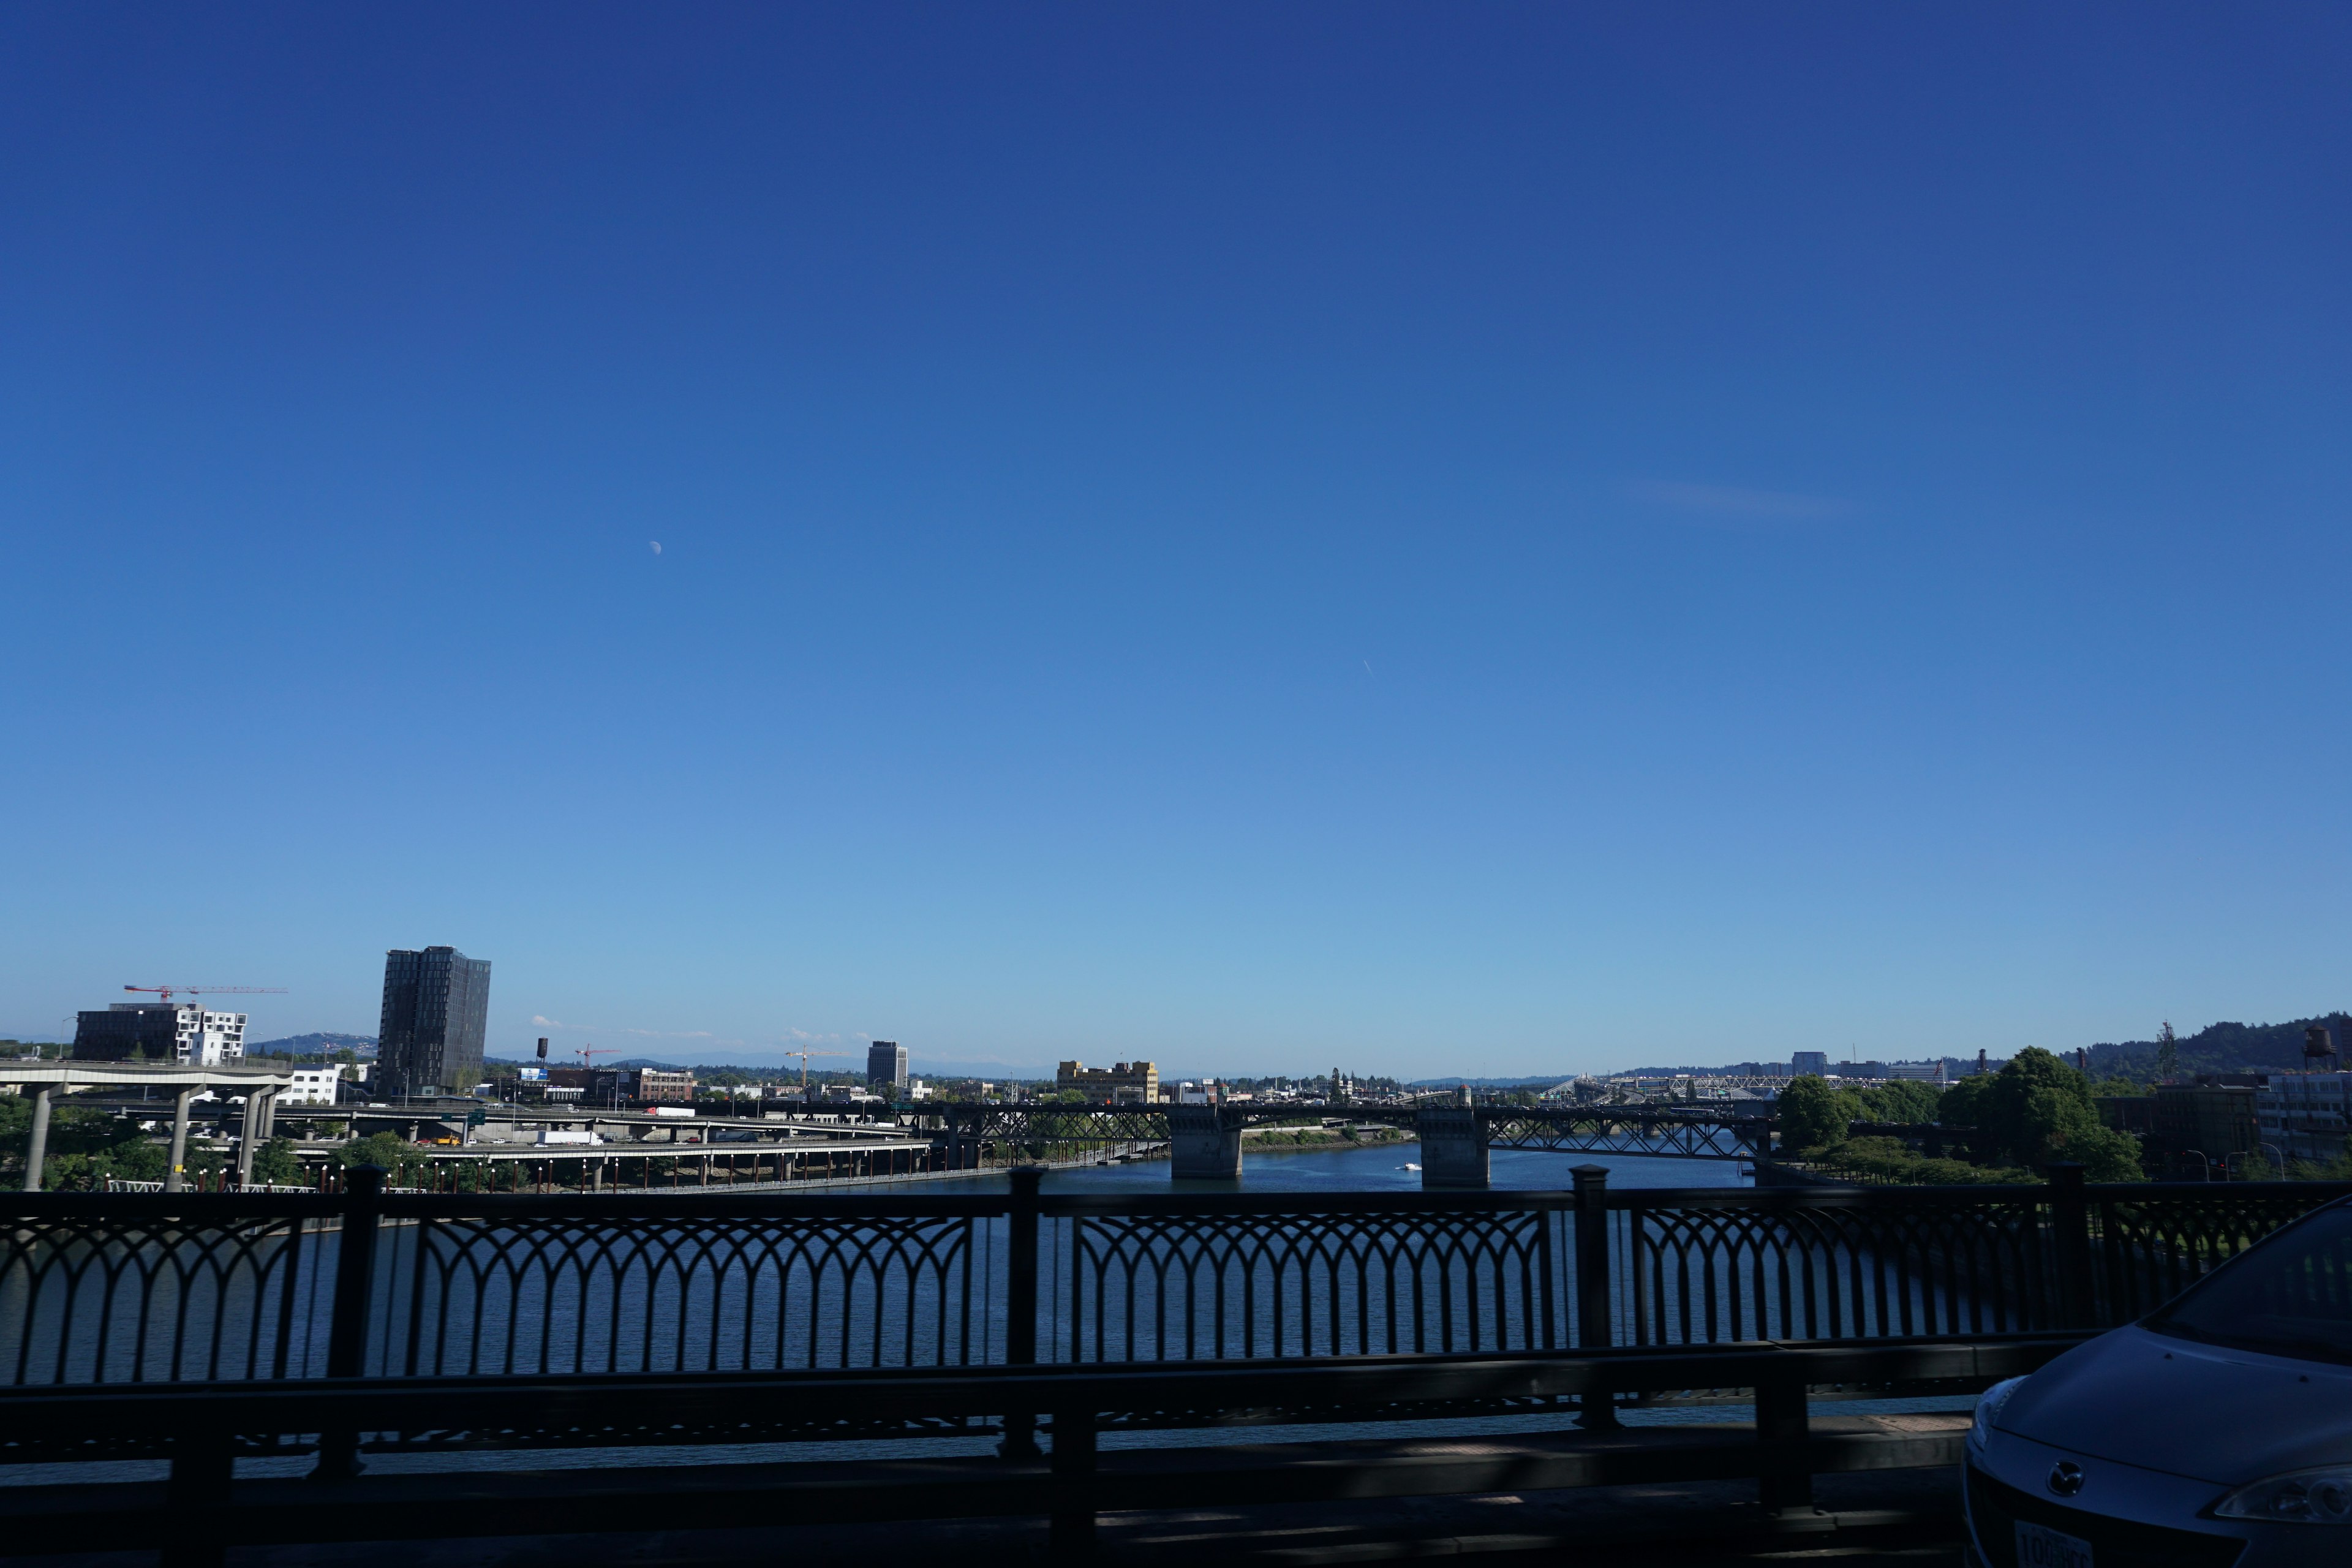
(206, 1428)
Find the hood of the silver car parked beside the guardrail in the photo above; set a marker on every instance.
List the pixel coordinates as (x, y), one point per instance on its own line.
(2189, 1409)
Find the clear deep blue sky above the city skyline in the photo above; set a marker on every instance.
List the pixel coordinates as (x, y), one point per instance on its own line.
(1431, 540)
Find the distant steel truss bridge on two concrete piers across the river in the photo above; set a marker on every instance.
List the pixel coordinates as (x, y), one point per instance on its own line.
(1455, 1139)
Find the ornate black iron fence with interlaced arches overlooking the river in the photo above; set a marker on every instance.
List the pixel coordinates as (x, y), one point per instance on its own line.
(105, 1289)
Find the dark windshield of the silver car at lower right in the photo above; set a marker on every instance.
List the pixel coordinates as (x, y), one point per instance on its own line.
(2290, 1296)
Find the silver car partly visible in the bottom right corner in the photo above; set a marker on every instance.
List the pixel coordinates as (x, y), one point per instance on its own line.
(2212, 1435)
